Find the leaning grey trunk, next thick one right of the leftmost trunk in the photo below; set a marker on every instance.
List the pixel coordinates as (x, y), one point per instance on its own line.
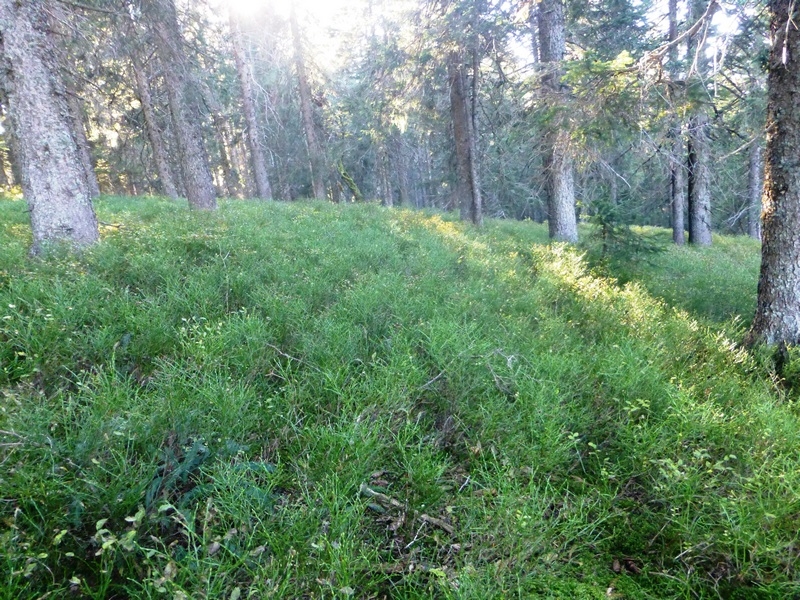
(183, 103)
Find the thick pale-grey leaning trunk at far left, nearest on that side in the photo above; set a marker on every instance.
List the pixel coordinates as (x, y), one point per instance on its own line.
(53, 178)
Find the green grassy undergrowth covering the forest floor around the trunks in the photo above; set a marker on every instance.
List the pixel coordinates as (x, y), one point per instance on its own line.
(307, 401)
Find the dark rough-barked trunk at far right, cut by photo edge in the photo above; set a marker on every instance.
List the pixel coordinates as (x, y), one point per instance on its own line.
(777, 318)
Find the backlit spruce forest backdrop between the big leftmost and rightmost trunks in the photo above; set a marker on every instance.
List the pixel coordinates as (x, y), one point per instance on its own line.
(643, 112)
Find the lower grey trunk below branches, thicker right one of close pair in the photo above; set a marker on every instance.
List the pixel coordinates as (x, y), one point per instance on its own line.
(699, 171)
